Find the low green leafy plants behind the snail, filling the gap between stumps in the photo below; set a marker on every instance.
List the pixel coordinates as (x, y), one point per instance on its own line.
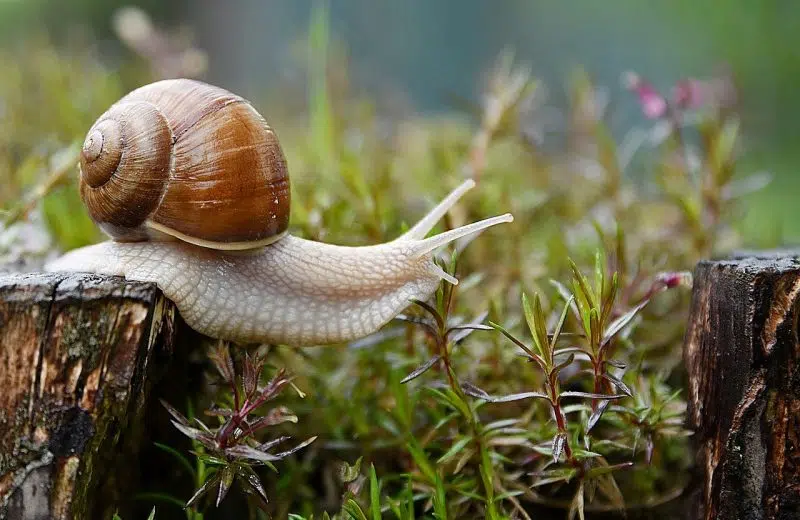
(584, 414)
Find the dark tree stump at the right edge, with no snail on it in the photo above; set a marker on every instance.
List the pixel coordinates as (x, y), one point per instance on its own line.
(742, 355)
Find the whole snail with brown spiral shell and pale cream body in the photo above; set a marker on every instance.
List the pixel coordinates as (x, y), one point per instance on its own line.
(191, 184)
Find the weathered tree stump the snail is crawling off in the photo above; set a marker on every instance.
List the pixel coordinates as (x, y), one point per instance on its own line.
(78, 356)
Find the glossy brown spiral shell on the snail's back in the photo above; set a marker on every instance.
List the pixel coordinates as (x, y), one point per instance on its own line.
(189, 160)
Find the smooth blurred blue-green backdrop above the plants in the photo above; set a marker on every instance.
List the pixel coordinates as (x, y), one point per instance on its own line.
(422, 56)
